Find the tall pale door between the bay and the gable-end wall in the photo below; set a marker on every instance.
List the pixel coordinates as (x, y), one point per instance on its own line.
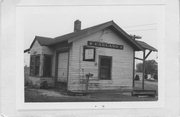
(62, 67)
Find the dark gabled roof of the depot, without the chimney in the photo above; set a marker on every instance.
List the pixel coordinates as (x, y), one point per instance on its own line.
(45, 41)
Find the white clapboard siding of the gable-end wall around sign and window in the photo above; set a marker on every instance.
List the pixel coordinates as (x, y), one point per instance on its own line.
(122, 62)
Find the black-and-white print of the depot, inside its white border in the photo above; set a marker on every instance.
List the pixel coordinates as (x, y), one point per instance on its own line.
(91, 54)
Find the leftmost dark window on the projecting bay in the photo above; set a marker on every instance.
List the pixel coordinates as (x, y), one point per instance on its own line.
(34, 65)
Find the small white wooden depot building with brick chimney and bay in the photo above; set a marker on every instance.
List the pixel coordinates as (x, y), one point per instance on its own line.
(105, 51)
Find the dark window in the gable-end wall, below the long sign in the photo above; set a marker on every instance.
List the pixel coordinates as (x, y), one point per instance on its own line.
(105, 65)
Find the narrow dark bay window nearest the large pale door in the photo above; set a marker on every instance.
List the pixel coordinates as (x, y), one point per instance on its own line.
(47, 66)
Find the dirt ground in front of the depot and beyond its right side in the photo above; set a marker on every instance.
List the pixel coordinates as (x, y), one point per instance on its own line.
(53, 95)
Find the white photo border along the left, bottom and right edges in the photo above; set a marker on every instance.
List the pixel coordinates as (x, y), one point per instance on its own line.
(21, 105)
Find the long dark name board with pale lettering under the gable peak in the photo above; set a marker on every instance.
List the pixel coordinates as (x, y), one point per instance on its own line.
(105, 45)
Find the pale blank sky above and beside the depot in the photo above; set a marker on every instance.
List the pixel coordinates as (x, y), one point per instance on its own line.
(53, 21)
